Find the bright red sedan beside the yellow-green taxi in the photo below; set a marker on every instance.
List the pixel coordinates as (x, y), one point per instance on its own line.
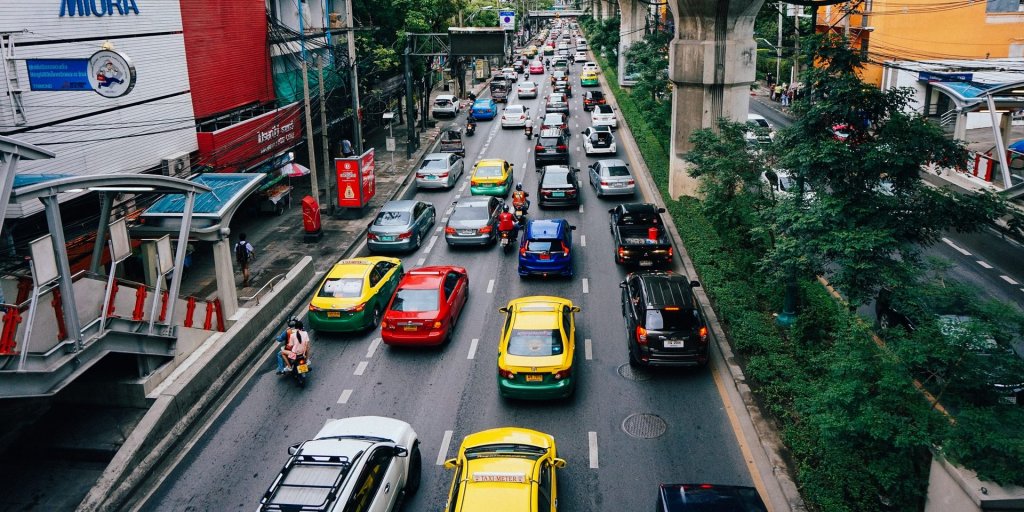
(425, 307)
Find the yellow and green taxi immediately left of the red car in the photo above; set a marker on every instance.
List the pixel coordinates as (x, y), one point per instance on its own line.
(355, 294)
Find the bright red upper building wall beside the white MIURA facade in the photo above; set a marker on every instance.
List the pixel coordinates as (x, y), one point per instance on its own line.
(228, 56)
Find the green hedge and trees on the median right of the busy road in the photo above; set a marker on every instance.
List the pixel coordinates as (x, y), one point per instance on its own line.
(859, 433)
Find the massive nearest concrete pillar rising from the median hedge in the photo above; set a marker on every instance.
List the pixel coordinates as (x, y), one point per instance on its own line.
(711, 63)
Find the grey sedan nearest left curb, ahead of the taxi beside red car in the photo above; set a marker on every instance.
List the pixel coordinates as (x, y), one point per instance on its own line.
(401, 226)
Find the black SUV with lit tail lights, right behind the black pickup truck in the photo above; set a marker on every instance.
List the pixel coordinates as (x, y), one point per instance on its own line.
(664, 324)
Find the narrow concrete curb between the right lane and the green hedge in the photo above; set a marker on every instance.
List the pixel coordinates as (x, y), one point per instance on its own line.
(760, 440)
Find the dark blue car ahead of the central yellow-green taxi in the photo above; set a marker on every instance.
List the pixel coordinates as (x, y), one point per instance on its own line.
(546, 248)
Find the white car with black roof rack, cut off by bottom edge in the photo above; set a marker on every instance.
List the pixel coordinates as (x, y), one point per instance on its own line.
(370, 460)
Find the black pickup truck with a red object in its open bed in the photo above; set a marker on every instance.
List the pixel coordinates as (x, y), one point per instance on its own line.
(639, 236)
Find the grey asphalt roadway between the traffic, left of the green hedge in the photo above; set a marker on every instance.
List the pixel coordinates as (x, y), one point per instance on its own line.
(450, 393)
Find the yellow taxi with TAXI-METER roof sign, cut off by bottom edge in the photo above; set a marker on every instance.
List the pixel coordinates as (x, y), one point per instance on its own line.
(505, 471)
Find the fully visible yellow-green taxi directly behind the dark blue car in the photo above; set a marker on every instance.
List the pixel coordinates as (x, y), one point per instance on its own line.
(537, 350)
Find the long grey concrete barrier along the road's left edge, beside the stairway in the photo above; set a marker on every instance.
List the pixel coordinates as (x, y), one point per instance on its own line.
(193, 389)
